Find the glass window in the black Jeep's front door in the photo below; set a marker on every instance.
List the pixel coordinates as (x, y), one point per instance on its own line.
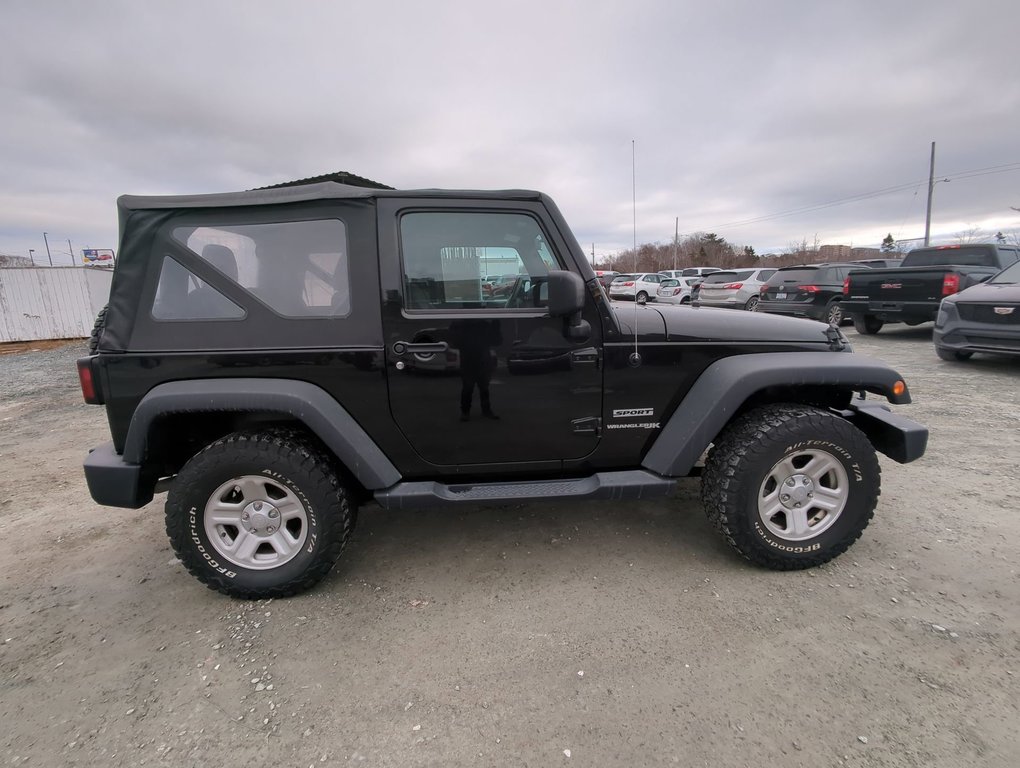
(475, 261)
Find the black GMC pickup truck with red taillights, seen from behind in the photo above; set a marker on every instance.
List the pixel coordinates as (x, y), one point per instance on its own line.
(912, 292)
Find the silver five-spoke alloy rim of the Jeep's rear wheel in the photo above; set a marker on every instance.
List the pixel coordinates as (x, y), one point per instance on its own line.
(257, 523)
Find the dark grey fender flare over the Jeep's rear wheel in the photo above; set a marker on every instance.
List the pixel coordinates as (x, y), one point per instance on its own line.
(305, 402)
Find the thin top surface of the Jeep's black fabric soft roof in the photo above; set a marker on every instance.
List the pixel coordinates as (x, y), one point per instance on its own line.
(323, 191)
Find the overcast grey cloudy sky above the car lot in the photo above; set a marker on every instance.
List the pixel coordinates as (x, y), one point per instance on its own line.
(767, 123)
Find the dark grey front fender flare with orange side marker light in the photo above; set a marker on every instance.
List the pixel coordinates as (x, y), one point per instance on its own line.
(727, 385)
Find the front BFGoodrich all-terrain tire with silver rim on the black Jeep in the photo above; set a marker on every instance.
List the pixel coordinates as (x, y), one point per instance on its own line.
(743, 465)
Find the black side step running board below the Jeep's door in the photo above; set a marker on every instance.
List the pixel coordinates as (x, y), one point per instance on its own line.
(629, 485)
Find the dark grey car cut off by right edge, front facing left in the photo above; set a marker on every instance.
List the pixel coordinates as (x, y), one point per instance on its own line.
(982, 319)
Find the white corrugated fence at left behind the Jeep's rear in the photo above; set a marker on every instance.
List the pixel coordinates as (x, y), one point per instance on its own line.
(52, 302)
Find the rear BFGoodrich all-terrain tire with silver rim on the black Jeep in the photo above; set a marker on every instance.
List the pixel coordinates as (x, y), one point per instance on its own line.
(293, 474)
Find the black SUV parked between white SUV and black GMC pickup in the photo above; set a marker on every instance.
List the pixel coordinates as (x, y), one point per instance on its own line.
(813, 291)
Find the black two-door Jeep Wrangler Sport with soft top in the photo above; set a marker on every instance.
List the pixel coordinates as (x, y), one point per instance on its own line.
(276, 359)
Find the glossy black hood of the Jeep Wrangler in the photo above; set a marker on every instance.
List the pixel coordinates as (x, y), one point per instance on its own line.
(684, 324)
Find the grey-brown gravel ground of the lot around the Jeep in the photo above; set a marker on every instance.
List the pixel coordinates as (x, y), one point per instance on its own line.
(570, 634)
